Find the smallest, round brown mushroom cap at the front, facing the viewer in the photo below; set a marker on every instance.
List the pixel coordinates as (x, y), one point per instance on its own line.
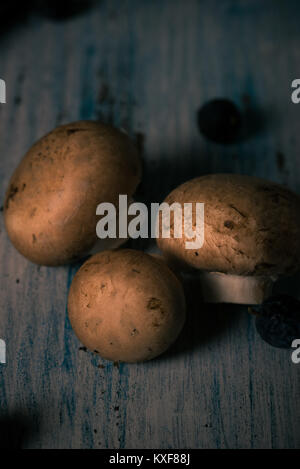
(126, 305)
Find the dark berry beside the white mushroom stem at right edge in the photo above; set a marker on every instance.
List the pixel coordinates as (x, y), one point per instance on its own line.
(278, 320)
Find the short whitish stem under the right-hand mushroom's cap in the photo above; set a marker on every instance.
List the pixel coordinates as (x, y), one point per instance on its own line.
(218, 287)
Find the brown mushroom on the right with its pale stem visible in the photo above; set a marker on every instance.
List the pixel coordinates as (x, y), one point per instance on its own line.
(251, 236)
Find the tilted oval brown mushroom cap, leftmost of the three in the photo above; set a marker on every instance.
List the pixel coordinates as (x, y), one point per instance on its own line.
(50, 205)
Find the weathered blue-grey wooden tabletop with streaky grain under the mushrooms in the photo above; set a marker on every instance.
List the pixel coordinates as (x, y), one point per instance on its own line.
(146, 66)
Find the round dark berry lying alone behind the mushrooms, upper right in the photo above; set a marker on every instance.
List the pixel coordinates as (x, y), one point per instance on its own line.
(220, 121)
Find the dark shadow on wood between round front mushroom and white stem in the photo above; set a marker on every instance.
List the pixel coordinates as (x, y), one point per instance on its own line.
(205, 322)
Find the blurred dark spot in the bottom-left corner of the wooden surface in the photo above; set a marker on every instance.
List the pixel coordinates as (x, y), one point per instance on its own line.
(17, 429)
